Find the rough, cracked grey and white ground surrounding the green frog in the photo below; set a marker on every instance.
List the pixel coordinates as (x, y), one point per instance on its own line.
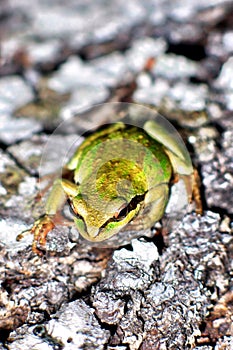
(169, 290)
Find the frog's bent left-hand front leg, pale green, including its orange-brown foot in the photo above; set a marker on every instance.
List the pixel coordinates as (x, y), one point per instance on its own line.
(60, 191)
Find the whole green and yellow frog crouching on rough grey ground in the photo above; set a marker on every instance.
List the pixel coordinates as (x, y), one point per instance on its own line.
(120, 176)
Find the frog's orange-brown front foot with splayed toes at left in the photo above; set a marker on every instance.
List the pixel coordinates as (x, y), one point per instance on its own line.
(40, 230)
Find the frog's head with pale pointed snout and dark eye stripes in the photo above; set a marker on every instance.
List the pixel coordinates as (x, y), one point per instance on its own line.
(109, 200)
